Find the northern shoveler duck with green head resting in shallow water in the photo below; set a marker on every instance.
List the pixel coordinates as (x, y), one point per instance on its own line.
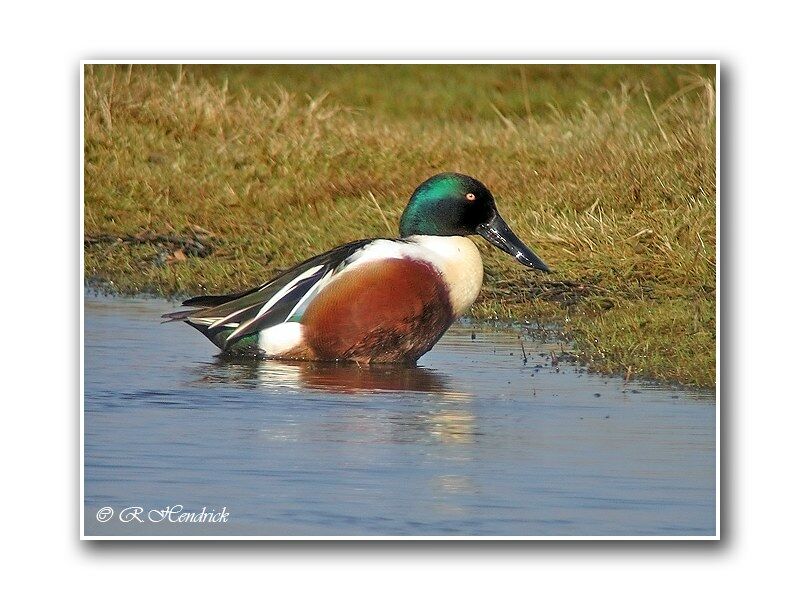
(373, 300)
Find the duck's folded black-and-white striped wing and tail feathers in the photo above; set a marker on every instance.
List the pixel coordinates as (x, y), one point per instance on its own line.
(225, 319)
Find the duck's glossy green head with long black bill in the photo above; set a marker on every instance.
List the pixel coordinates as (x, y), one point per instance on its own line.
(455, 204)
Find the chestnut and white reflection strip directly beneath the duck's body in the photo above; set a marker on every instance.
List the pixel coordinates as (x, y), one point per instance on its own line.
(342, 378)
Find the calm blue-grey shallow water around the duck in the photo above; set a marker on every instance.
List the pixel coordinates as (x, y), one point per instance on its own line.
(473, 441)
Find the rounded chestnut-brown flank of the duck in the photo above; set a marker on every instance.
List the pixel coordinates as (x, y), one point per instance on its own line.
(391, 310)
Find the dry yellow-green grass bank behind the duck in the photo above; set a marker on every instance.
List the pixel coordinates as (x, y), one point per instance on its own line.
(608, 171)
